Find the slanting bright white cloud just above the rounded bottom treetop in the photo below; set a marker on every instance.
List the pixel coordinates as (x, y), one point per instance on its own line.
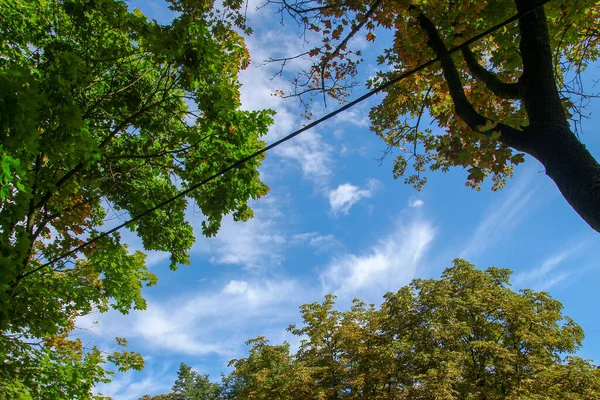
(390, 263)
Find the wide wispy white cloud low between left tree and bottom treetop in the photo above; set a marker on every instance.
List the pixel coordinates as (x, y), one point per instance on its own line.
(200, 323)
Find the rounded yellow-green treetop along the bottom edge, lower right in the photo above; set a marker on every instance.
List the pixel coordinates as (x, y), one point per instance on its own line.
(466, 335)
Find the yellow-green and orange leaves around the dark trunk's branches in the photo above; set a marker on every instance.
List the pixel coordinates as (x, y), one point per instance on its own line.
(474, 97)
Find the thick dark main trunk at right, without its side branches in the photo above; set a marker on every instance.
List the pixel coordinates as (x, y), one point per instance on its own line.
(548, 137)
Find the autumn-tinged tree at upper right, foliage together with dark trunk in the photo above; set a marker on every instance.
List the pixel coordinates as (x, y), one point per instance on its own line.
(517, 90)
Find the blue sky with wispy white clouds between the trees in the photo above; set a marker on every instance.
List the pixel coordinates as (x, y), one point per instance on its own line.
(336, 222)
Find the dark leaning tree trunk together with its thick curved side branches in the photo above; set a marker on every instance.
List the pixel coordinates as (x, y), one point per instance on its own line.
(548, 136)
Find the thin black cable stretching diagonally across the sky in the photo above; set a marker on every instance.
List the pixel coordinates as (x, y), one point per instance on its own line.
(241, 162)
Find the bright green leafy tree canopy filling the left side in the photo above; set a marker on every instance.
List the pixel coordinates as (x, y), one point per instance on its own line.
(105, 113)
